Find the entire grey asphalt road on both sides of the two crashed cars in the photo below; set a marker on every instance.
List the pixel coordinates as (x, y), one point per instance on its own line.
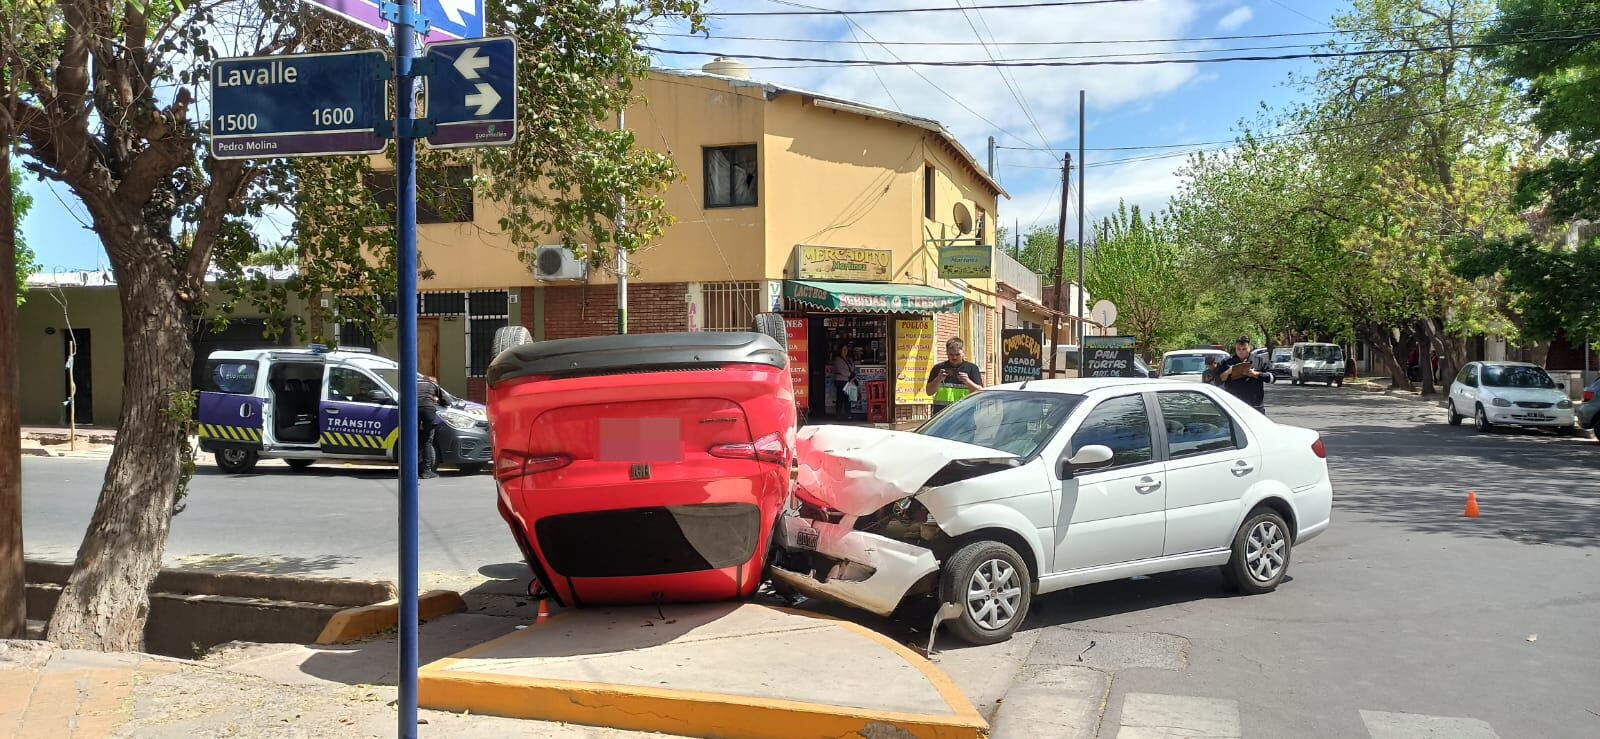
(1404, 620)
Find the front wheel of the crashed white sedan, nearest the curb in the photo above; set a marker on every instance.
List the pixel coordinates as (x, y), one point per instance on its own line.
(991, 583)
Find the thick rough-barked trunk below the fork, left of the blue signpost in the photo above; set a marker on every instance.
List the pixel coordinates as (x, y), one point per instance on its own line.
(106, 601)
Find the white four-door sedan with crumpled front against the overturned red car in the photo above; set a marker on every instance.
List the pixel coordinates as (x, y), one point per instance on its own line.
(1036, 487)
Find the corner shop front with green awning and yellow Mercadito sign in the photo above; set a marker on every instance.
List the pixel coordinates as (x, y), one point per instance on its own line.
(884, 330)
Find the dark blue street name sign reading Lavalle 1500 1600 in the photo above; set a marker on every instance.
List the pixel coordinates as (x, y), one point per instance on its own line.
(298, 106)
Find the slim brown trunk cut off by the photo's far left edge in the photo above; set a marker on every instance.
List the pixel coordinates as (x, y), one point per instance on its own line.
(14, 588)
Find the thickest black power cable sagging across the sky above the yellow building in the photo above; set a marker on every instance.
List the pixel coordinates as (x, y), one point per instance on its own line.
(1108, 62)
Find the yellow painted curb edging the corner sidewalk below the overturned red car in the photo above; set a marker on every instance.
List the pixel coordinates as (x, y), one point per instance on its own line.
(692, 713)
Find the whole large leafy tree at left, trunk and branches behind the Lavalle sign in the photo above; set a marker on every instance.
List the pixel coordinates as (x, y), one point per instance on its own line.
(103, 98)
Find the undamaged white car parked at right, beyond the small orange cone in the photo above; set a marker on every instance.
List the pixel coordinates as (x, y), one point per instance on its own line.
(1510, 394)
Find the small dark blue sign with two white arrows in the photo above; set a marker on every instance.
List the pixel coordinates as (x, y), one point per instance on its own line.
(473, 94)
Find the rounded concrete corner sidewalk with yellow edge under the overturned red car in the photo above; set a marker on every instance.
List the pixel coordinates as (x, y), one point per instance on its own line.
(713, 669)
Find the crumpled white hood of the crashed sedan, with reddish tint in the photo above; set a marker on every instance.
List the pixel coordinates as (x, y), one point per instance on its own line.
(860, 469)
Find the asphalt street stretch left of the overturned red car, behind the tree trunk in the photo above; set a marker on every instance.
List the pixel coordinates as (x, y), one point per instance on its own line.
(329, 521)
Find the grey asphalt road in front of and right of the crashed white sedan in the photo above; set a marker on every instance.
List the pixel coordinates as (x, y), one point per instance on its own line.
(1404, 620)
